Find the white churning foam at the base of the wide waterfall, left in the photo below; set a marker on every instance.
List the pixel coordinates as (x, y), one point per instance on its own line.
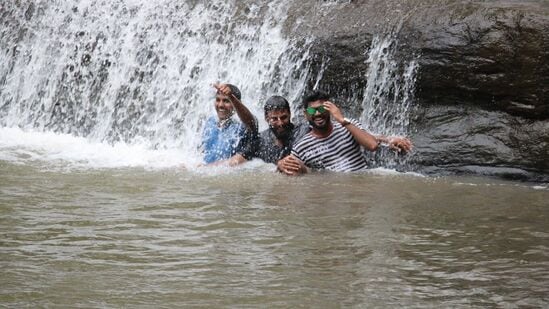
(20, 147)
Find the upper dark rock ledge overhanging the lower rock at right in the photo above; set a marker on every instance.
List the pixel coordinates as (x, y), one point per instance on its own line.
(492, 56)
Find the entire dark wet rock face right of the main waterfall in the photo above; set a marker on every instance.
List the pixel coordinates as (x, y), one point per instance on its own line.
(482, 90)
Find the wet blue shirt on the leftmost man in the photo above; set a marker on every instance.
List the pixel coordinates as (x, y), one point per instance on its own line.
(220, 143)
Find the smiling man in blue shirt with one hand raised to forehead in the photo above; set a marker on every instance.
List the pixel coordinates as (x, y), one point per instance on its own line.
(225, 140)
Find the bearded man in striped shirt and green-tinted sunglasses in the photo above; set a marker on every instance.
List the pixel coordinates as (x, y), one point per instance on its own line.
(334, 142)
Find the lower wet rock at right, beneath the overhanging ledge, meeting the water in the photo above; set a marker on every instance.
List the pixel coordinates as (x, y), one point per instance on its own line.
(456, 138)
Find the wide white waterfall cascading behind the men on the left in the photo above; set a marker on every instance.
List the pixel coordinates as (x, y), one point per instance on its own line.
(135, 70)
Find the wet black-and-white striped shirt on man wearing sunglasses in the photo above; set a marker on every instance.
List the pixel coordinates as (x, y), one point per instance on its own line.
(339, 152)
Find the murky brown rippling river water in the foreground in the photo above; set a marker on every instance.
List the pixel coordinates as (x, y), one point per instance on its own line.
(251, 238)
